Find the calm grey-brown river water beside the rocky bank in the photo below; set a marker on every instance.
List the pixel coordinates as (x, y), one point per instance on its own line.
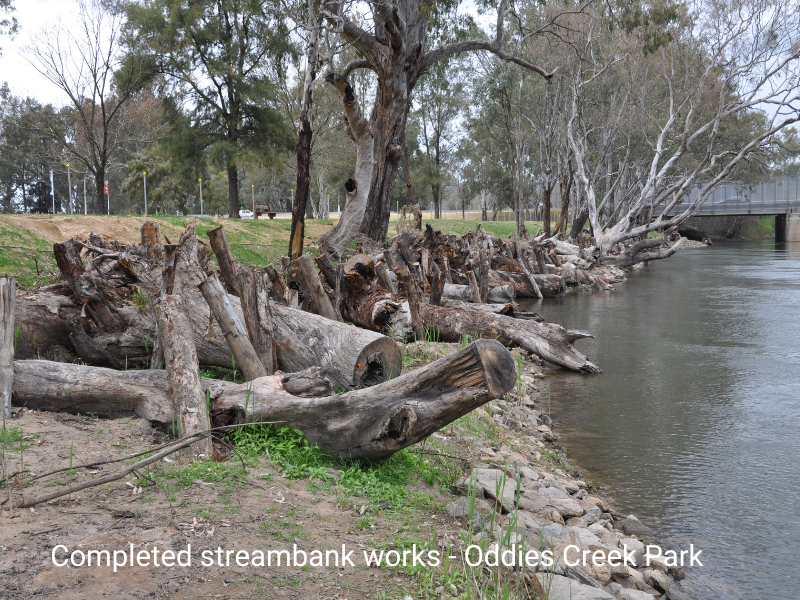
(694, 425)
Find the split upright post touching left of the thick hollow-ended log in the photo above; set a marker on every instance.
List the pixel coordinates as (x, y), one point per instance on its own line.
(257, 316)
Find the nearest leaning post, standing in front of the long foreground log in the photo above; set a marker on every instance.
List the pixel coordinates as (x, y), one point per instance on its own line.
(183, 370)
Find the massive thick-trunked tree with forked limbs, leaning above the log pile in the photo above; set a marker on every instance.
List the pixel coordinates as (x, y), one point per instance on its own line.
(394, 45)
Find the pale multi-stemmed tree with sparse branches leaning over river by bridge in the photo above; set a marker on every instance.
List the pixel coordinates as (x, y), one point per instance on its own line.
(716, 95)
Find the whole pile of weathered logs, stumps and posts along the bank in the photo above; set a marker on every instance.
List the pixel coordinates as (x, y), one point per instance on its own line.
(124, 311)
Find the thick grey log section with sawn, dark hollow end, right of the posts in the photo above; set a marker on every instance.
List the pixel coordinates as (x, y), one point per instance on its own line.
(352, 357)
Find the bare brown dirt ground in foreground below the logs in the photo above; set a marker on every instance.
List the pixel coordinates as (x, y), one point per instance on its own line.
(264, 511)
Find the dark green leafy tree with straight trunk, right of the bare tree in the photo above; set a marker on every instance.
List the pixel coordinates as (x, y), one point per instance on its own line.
(223, 59)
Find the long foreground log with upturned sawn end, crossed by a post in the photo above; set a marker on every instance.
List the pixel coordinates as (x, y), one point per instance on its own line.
(370, 423)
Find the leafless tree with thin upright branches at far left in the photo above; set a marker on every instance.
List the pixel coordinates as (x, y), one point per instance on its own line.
(86, 63)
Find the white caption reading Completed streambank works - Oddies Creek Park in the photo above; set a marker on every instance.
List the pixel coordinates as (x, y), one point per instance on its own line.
(513, 556)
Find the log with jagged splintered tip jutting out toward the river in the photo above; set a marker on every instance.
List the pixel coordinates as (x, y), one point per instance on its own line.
(548, 341)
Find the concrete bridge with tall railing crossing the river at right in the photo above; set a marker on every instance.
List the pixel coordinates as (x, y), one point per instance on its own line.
(780, 197)
